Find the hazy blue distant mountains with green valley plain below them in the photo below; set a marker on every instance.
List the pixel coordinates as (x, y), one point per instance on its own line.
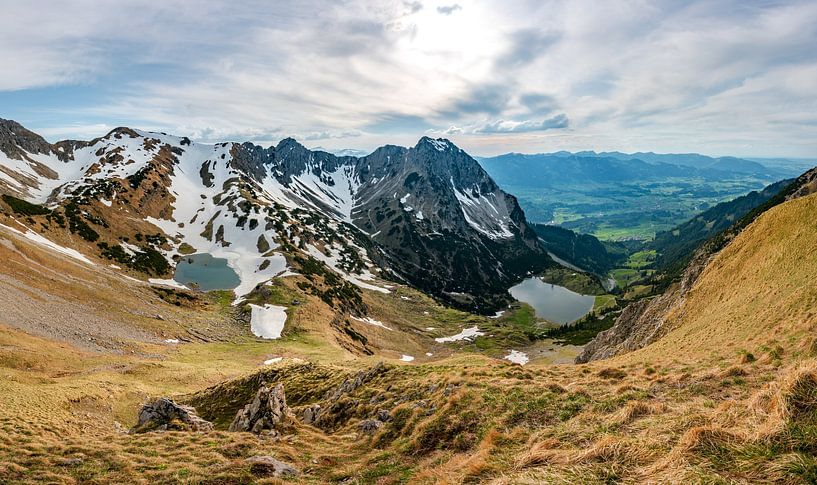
(618, 196)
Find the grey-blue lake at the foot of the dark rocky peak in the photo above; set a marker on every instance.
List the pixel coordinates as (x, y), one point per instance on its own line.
(553, 302)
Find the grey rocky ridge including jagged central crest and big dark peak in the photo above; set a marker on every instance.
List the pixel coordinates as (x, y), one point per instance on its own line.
(435, 216)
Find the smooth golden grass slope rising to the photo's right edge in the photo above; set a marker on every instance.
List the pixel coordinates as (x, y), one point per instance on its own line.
(760, 291)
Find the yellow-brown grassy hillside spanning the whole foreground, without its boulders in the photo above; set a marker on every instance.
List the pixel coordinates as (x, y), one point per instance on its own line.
(729, 395)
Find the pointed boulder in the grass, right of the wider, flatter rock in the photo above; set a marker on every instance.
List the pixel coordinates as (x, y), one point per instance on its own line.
(267, 413)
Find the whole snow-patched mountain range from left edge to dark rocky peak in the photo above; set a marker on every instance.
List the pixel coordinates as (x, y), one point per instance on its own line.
(428, 215)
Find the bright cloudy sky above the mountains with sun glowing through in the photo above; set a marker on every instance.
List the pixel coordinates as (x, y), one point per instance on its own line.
(714, 77)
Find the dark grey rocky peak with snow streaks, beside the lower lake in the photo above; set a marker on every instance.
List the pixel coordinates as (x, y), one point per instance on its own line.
(444, 225)
